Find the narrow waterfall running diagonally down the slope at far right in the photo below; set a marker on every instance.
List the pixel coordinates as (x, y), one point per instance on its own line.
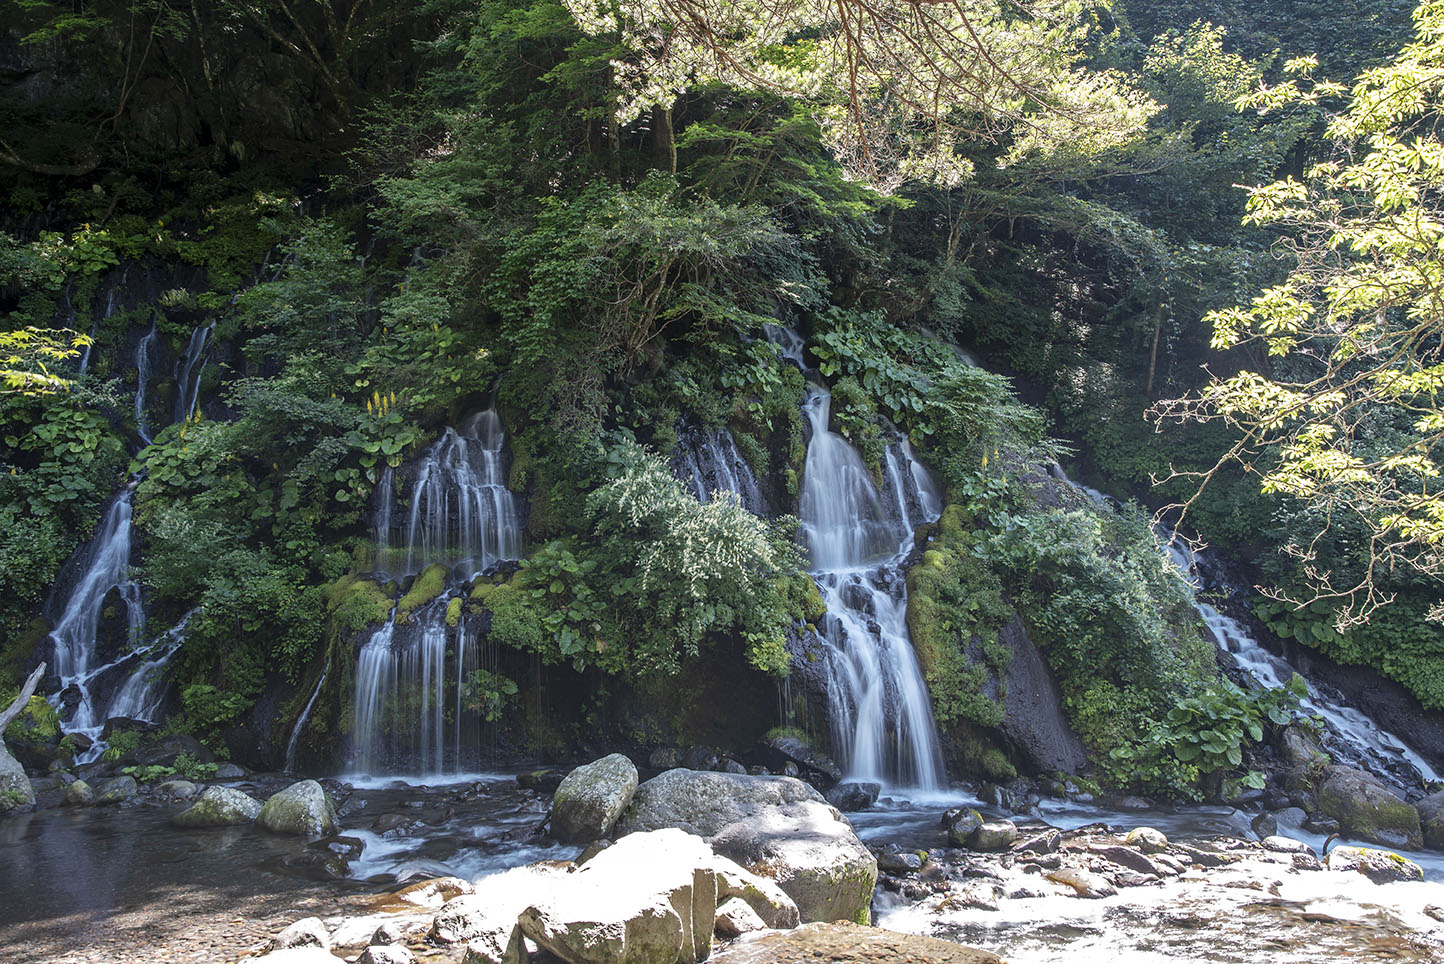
(1352, 737)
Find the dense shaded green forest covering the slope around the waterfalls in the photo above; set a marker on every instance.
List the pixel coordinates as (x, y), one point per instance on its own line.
(389, 214)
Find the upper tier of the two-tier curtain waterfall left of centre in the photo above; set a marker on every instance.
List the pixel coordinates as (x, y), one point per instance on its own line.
(463, 513)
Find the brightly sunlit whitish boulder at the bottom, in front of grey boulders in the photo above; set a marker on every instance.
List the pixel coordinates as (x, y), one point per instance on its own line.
(652, 898)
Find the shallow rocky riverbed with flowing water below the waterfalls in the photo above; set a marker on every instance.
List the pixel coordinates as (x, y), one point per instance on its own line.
(1068, 882)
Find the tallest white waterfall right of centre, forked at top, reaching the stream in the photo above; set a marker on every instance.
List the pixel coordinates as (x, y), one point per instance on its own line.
(857, 540)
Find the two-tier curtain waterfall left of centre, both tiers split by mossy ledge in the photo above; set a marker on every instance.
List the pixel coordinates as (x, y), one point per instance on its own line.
(409, 702)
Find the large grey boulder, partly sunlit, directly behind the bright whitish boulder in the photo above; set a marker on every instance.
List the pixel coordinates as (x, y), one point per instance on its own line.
(775, 826)
